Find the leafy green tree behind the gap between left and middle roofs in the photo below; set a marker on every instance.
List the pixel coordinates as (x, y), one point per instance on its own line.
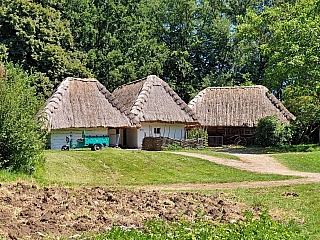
(116, 35)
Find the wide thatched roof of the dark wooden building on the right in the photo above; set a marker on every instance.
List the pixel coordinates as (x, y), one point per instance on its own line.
(237, 106)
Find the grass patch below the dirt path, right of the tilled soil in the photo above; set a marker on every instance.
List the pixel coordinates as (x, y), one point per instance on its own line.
(303, 207)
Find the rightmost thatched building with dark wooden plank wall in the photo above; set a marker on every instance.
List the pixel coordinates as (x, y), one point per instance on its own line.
(230, 114)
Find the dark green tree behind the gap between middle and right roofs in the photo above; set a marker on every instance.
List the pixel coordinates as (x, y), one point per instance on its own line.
(197, 37)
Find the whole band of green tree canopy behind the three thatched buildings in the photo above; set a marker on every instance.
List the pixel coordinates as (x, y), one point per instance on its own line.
(191, 44)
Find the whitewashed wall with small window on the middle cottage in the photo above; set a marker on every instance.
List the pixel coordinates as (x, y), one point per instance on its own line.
(175, 131)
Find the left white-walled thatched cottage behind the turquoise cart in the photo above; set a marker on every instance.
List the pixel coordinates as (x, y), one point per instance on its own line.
(84, 104)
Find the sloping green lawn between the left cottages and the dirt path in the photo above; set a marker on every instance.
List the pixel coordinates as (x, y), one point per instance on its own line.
(115, 167)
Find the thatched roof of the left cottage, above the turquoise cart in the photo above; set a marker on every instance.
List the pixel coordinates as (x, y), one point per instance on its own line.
(83, 103)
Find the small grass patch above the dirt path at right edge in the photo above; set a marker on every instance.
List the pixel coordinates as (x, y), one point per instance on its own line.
(305, 162)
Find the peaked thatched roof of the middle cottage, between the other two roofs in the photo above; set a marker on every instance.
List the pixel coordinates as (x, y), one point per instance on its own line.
(152, 100)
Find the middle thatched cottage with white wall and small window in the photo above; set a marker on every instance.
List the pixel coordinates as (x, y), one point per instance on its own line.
(158, 109)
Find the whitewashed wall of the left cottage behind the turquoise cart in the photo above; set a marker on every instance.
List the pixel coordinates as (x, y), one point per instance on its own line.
(58, 137)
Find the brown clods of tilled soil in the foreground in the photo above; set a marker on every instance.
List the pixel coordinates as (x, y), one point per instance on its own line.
(29, 211)
